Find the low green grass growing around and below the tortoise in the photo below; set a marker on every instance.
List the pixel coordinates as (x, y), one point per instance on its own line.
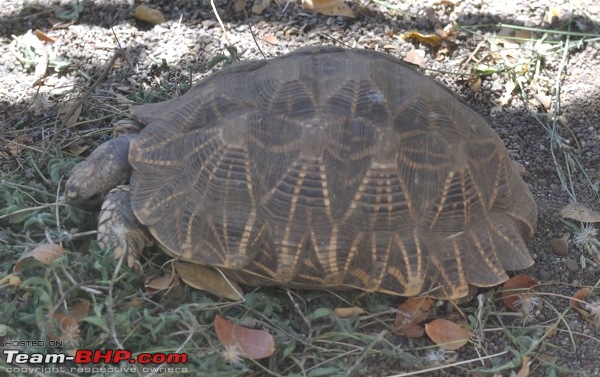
(310, 339)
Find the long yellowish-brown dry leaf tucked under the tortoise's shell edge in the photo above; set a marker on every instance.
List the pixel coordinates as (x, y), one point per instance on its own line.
(207, 279)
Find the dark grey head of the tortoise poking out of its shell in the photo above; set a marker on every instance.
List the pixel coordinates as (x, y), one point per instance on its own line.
(106, 168)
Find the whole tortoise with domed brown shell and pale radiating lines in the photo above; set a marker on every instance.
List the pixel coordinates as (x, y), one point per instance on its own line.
(326, 168)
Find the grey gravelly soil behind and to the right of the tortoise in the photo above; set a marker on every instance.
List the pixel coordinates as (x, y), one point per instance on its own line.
(164, 59)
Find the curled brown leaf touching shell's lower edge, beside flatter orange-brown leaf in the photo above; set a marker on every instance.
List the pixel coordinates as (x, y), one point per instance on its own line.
(412, 312)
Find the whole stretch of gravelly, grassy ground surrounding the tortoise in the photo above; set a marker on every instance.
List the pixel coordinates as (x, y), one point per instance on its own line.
(541, 94)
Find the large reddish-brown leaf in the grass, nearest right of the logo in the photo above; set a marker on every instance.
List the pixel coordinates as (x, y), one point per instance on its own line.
(250, 343)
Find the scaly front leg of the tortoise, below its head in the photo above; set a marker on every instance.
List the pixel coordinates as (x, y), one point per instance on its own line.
(118, 226)
